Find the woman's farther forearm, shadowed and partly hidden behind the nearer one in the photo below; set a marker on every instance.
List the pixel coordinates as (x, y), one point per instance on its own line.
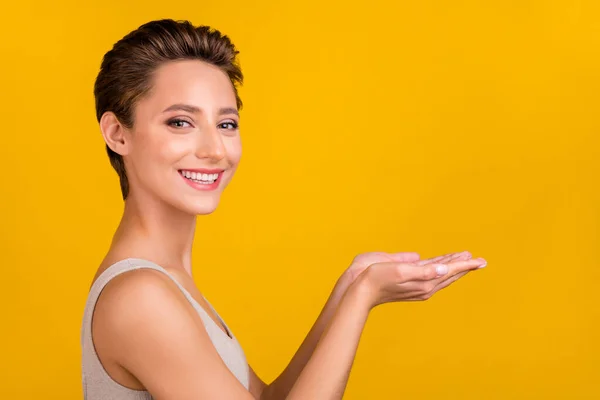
(280, 387)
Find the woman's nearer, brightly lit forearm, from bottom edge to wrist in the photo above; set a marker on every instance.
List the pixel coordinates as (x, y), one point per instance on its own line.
(326, 373)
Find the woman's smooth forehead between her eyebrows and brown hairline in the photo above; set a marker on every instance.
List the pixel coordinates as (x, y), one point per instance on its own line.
(191, 82)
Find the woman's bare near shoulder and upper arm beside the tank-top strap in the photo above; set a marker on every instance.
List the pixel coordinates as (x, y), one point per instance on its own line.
(157, 336)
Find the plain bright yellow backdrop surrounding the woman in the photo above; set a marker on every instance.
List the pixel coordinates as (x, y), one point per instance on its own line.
(429, 126)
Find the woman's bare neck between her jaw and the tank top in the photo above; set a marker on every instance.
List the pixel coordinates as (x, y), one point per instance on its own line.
(158, 232)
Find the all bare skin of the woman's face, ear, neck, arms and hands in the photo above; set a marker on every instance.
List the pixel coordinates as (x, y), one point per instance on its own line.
(147, 335)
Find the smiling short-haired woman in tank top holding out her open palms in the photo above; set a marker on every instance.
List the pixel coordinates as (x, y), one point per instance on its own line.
(167, 105)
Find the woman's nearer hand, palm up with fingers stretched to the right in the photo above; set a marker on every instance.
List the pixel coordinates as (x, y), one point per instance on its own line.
(386, 282)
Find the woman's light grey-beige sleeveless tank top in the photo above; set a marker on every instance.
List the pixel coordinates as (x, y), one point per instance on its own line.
(98, 385)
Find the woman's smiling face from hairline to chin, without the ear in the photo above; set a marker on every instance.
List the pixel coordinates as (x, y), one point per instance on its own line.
(185, 143)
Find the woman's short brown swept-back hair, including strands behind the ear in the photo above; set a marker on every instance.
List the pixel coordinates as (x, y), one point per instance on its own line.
(126, 71)
